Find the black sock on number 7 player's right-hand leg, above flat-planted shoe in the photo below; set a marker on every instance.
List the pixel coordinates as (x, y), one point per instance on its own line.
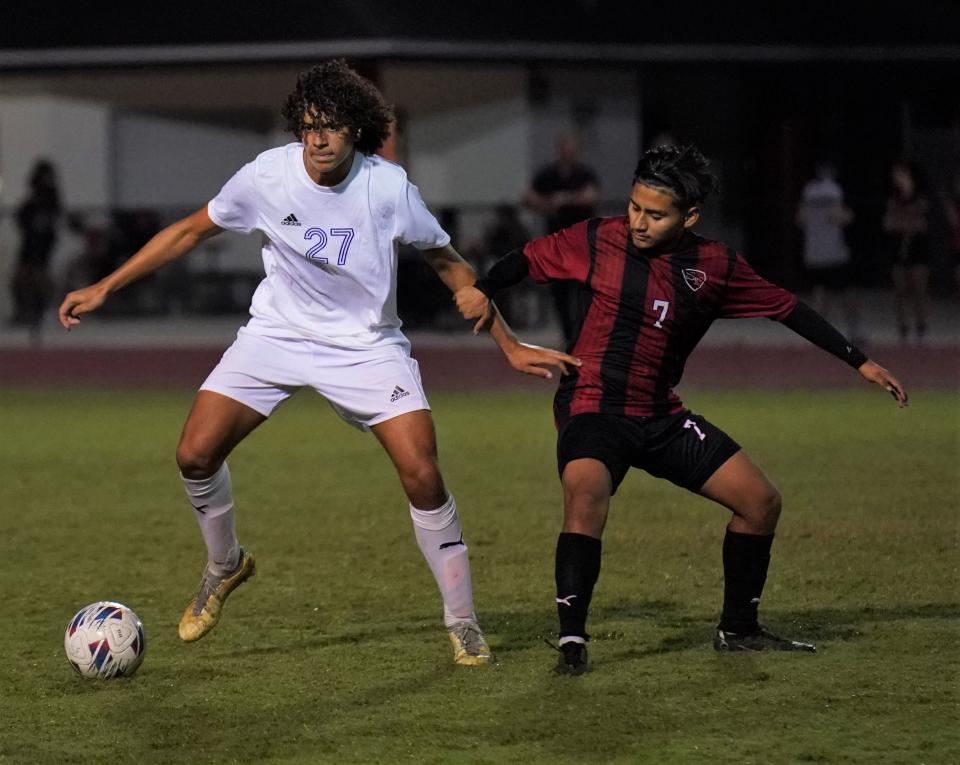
(745, 561)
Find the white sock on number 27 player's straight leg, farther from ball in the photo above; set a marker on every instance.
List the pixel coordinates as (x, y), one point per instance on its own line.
(440, 537)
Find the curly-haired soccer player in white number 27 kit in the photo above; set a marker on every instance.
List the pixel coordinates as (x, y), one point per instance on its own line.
(332, 215)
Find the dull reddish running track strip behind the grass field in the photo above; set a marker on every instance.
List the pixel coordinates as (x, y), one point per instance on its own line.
(446, 369)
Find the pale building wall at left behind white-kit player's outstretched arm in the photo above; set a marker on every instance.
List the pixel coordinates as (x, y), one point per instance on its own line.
(129, 160)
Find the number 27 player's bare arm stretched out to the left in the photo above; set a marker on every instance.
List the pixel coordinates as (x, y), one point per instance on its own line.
(169, 244)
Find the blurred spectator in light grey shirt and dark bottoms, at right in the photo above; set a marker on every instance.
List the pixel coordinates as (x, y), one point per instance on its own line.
(823, 216)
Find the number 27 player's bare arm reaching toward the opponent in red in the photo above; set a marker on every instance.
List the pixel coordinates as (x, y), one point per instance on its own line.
(458, 275)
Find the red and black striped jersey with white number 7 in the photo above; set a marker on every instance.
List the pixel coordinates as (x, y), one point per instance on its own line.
(641, 316)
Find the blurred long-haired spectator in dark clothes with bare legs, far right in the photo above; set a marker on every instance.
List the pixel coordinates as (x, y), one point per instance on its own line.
(906, 224)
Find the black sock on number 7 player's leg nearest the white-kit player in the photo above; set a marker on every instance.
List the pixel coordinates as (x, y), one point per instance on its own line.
(577, 569)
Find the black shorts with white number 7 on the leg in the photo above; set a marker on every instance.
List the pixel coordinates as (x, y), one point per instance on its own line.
(683, 448)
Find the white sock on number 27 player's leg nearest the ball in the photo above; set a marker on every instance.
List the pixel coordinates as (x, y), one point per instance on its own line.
(212, 500)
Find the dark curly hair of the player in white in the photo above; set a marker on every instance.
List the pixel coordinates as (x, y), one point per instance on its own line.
(343, 98)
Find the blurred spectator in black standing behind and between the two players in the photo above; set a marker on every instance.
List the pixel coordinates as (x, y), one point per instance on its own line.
(564, 192)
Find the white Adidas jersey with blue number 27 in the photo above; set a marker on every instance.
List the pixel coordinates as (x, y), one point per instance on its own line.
(330, 253)
